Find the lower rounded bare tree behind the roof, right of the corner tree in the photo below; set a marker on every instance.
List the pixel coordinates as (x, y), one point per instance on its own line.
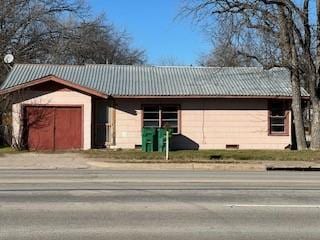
(94, 42)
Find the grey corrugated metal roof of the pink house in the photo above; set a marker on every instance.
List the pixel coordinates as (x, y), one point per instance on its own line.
(124, 80)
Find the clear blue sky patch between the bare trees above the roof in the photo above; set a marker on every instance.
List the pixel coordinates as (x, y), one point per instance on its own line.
(152, 26)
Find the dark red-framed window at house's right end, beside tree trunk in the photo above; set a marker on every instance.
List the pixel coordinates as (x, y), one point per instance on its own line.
(278, 118)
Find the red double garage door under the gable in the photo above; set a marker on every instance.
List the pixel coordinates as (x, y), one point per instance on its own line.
(53, 128)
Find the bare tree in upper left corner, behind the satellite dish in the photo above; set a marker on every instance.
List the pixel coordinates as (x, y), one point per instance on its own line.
(29, 28)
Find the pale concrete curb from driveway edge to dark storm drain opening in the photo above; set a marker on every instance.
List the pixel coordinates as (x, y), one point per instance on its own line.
(180, 166)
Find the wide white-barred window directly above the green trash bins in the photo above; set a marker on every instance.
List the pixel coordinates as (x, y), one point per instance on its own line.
(161, 116)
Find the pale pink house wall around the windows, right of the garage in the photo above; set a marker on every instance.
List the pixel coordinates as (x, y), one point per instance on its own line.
(205, 123)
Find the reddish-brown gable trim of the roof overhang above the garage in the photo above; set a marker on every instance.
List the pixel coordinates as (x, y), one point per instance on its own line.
(52, 78)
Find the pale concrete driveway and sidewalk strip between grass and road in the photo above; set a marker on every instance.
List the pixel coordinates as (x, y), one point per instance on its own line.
(80, 161)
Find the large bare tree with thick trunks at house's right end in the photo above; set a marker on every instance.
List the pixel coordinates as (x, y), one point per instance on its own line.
(283, 30)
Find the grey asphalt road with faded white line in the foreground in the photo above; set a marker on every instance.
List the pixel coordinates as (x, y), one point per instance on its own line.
(100, 204)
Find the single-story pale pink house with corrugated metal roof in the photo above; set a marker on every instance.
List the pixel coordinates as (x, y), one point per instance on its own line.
(92, 106)
